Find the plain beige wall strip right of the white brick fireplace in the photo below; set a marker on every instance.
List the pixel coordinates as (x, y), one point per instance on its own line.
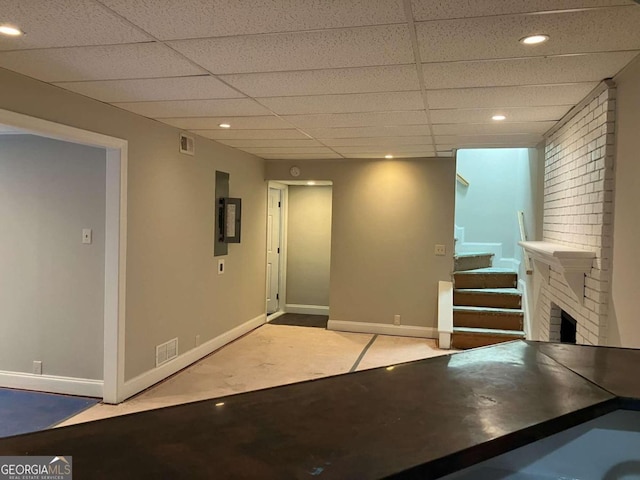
(624, 320)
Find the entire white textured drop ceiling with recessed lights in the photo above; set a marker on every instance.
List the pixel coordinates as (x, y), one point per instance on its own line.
(301, 79)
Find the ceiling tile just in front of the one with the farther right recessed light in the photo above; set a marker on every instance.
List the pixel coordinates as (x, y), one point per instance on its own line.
(526, 96)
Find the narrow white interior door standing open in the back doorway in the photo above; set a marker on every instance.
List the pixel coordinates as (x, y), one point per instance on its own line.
(273, 250)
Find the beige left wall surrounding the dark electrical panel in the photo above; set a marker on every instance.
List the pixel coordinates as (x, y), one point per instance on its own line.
(173, 289)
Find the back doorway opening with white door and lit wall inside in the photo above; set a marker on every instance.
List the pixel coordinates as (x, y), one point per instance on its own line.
(298, 252)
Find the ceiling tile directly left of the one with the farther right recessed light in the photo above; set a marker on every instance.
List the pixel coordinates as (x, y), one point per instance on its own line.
(415, 117)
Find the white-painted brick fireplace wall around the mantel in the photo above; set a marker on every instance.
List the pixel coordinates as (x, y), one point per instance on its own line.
(578, 211)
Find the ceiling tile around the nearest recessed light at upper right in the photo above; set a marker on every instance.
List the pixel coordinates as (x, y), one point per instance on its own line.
(497, 37)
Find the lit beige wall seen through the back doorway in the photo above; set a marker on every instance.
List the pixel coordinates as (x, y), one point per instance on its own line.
(308, 245)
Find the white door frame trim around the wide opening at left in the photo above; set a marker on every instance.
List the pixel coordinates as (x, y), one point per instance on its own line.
(115, 253)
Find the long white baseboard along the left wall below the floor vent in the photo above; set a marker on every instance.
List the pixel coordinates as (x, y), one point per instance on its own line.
(147, 379)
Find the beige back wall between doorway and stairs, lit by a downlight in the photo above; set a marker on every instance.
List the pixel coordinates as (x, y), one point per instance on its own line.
(386, 218)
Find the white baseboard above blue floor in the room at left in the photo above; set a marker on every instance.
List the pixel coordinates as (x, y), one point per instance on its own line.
(51, 383)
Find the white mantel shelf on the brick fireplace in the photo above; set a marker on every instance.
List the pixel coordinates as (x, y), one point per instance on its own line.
(573, 263)
